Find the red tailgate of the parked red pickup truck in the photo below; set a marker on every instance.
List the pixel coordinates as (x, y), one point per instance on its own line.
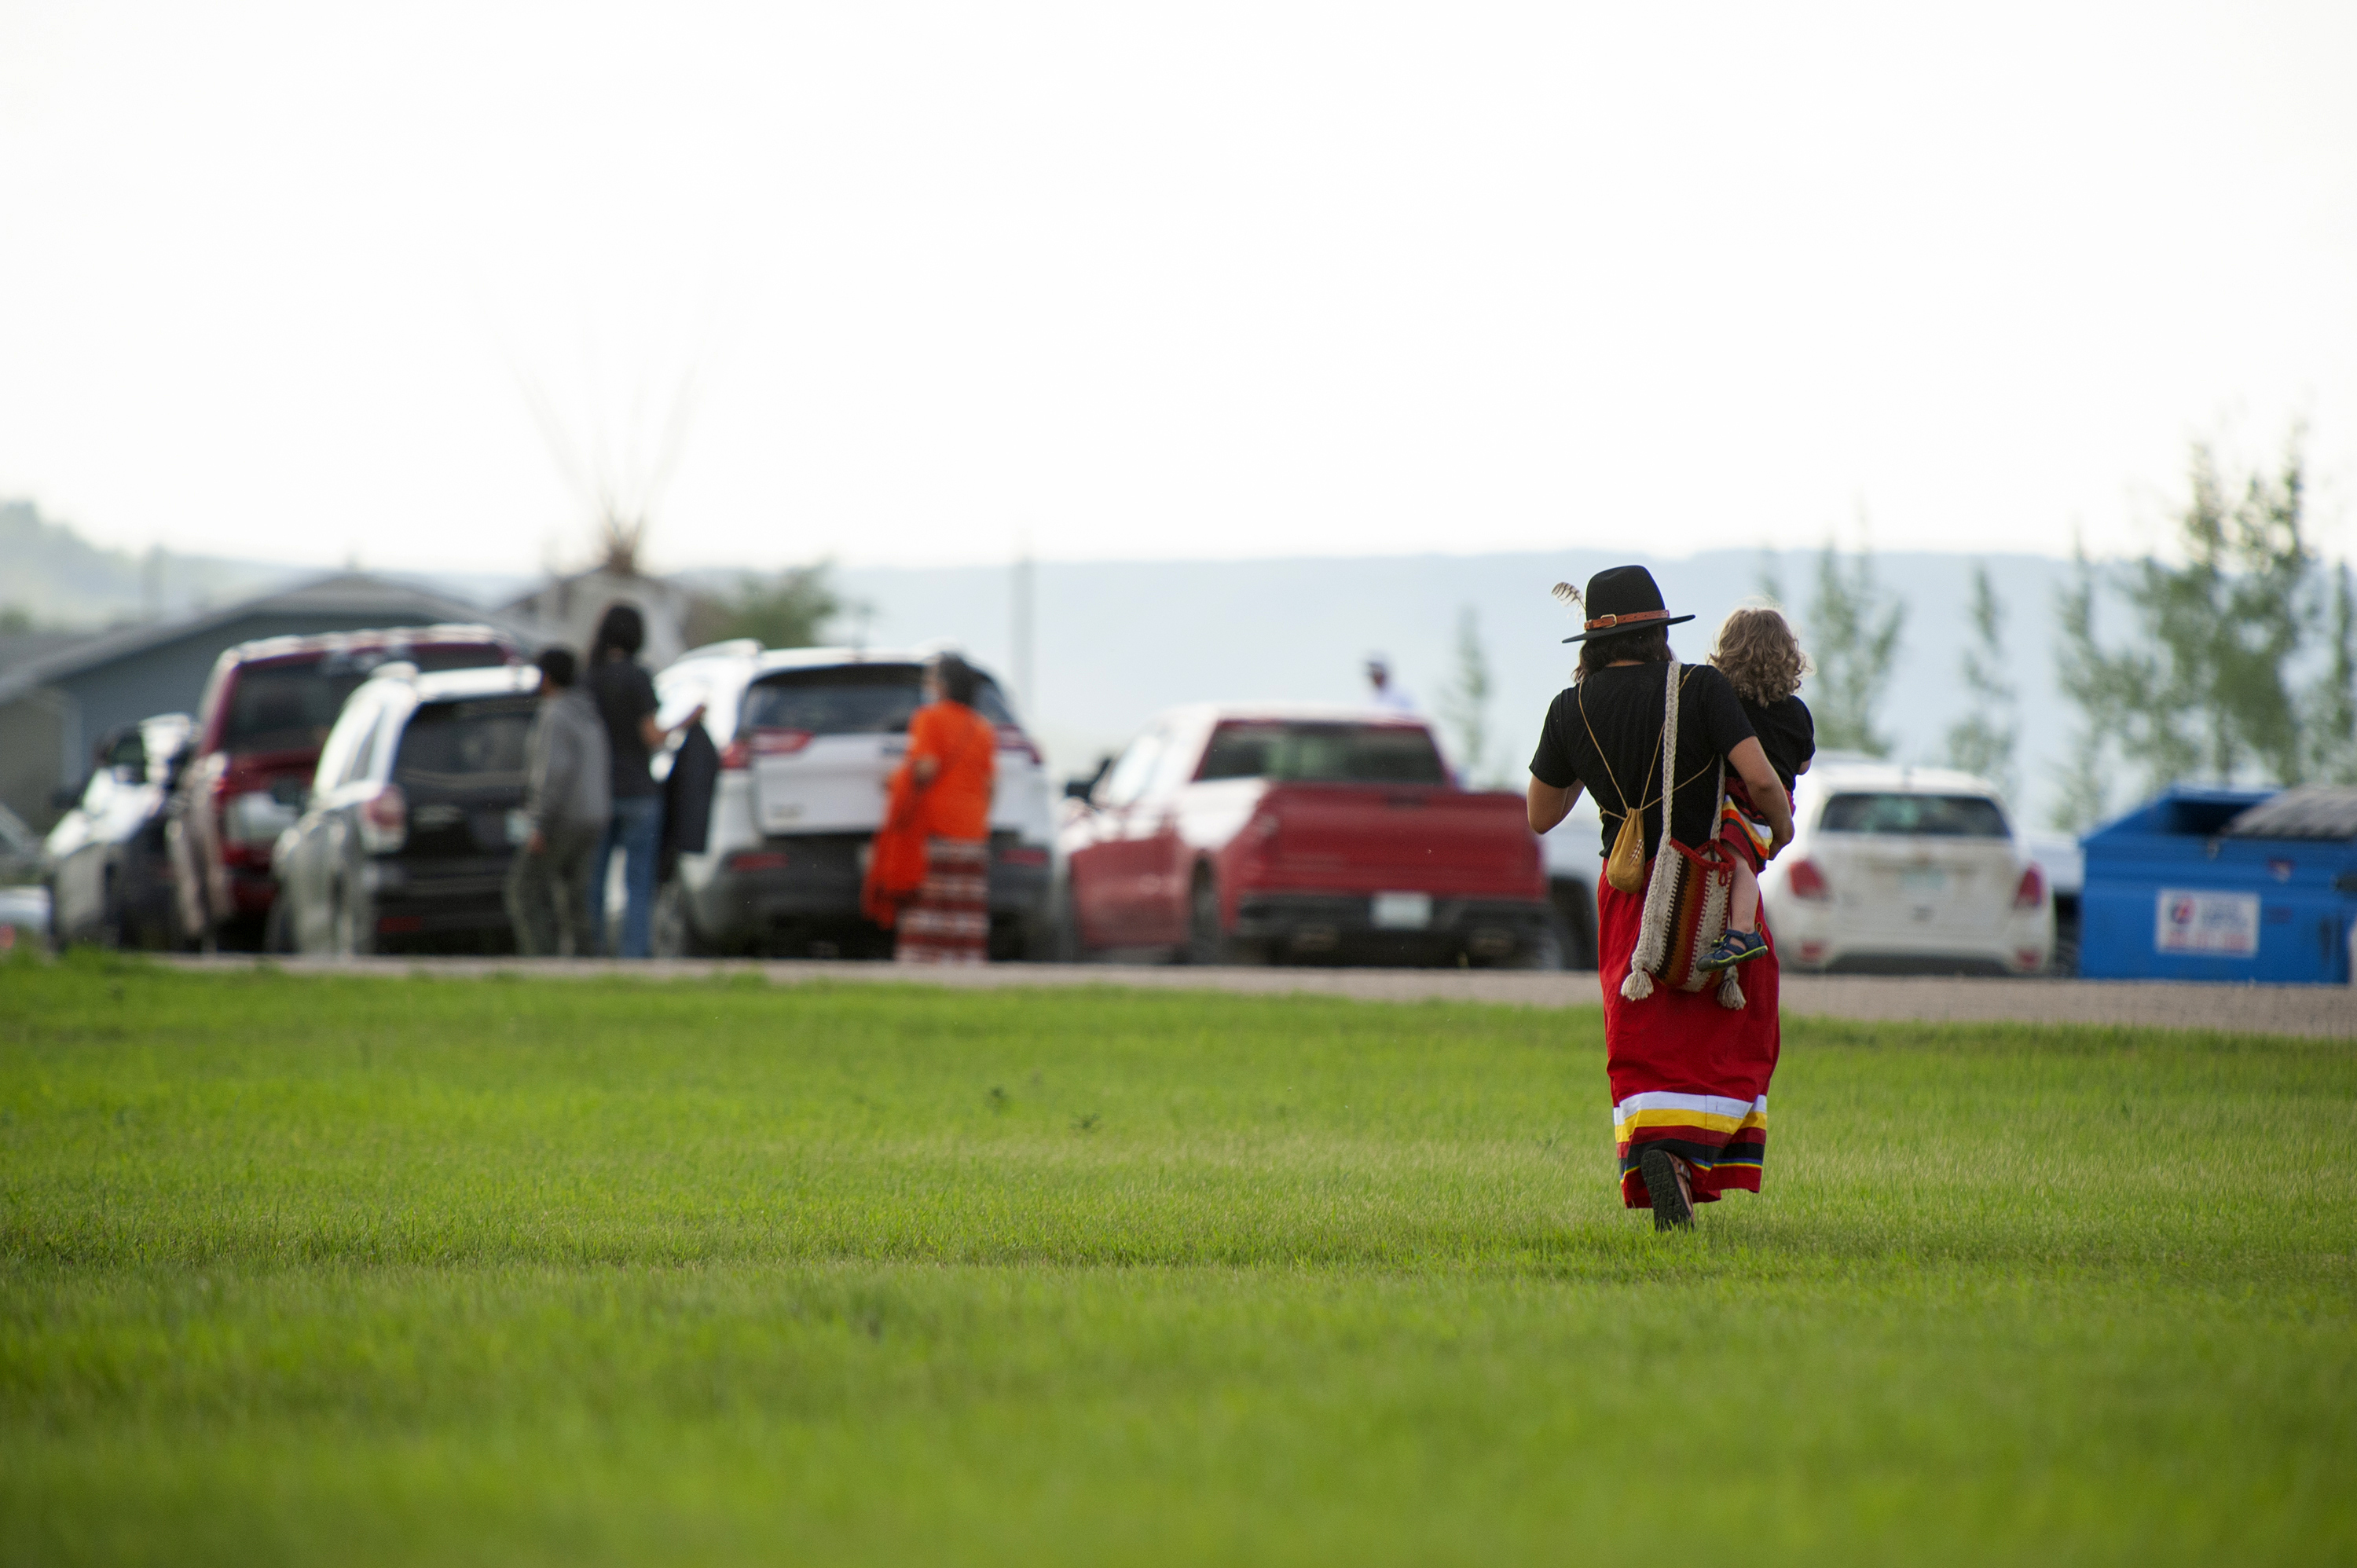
(1397, 838)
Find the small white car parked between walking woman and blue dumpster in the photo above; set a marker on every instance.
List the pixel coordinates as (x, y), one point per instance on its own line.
(1906, 871)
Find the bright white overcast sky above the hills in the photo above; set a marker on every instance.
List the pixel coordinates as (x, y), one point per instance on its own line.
(942, 284)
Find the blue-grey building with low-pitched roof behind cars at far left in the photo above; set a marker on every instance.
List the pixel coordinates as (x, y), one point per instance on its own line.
(60, 701)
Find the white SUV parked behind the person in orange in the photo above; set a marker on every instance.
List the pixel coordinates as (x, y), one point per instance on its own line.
(807, 742)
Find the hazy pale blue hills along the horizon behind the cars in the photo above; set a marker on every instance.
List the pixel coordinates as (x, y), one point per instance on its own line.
(1121, 640)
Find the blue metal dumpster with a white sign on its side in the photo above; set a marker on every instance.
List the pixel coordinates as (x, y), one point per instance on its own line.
(2224, 885)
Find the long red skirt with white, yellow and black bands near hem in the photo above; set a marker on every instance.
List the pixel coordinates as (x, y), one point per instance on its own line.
(1686, 1074)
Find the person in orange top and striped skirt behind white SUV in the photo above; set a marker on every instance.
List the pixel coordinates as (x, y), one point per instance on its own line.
(930, 869)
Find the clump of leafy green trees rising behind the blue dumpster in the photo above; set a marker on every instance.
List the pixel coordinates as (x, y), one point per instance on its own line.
(2207, 685)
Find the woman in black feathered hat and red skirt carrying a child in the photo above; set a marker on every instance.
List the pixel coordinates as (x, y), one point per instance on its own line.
(1689, 1050)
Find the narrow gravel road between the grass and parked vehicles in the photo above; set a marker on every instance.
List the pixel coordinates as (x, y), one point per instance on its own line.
(2328, 1013)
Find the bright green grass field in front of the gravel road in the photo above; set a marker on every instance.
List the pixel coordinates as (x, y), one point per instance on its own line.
(574, 1272)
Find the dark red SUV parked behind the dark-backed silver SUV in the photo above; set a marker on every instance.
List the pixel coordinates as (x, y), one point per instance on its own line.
(258, 732)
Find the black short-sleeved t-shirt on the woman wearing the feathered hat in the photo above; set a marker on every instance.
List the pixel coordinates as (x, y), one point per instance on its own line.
(1623, 706)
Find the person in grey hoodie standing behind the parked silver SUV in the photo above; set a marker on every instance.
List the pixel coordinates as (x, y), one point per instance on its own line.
(567, 801)
